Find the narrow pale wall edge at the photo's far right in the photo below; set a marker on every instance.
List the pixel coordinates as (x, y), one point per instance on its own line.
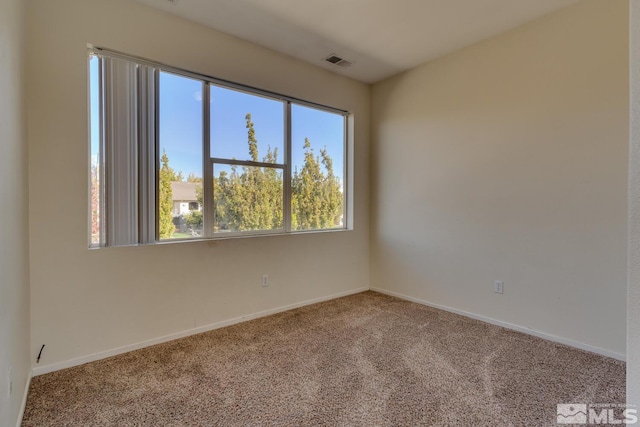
(633, 296)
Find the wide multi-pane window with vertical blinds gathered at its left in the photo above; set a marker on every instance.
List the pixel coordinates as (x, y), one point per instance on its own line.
(177, 155)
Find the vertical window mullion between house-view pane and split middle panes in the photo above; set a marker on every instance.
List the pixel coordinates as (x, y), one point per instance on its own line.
(207, 165)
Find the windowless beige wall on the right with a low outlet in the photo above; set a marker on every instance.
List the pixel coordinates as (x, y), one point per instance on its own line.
(508, 161)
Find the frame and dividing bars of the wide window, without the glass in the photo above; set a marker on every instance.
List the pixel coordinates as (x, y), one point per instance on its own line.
(148, 178)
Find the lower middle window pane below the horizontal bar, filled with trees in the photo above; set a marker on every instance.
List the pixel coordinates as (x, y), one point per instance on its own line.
(247, 198)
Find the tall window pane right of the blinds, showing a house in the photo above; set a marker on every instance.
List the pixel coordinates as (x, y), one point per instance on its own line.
(180, 177)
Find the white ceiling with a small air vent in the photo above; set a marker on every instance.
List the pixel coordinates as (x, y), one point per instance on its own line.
(380, 37)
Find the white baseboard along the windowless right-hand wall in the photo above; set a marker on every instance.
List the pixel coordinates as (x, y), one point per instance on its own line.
(507, 325)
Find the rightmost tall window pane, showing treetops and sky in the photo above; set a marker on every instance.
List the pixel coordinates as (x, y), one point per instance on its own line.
(317, 138)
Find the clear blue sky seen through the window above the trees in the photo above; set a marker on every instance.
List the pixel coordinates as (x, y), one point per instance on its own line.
(181, 124)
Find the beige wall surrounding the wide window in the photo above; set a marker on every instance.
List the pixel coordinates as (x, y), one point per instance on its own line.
(94, 301)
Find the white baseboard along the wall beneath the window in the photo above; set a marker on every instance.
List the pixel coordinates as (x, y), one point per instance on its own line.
(40, 370)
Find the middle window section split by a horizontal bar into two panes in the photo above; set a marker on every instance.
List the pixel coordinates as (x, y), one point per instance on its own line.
(247, 146)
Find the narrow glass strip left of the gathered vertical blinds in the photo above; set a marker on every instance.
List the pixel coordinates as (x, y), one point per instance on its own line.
(95, 172)
